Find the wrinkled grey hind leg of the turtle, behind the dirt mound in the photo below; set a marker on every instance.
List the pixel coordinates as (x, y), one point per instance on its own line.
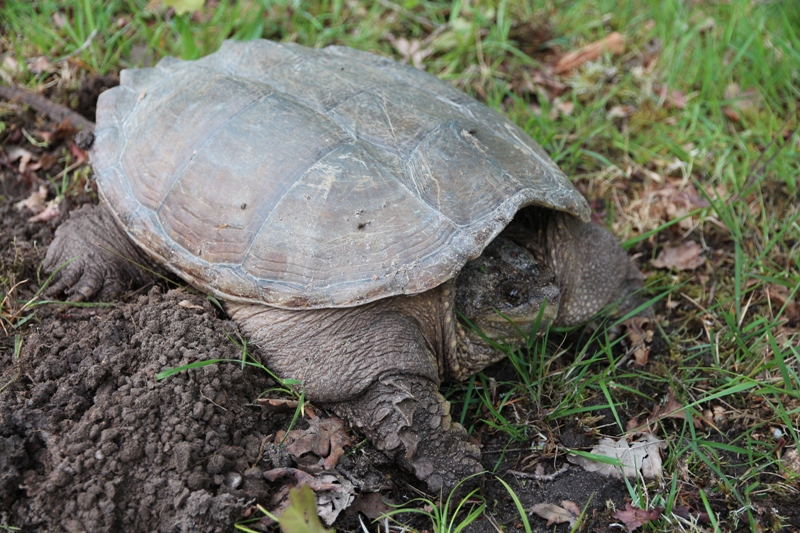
(92, 257)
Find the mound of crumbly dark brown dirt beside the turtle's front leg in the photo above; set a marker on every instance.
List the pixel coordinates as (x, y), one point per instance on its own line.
(90, 440)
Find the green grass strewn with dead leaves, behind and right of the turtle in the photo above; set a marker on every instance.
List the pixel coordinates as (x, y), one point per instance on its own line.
(706, 99)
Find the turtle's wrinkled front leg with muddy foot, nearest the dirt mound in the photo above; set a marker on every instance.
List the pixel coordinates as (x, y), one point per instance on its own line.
(373, 366)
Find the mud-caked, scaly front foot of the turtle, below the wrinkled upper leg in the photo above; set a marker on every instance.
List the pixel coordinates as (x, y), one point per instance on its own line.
(407, 418)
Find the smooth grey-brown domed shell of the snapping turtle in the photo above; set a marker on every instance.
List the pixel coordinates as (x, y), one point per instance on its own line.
(310, 178)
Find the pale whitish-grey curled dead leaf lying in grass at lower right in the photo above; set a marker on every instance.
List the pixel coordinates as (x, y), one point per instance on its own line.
(643, 455)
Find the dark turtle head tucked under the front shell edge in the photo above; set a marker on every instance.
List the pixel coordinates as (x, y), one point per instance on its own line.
(505, 291)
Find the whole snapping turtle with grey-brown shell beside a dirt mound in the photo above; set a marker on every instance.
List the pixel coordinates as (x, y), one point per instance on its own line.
(342, 206)
